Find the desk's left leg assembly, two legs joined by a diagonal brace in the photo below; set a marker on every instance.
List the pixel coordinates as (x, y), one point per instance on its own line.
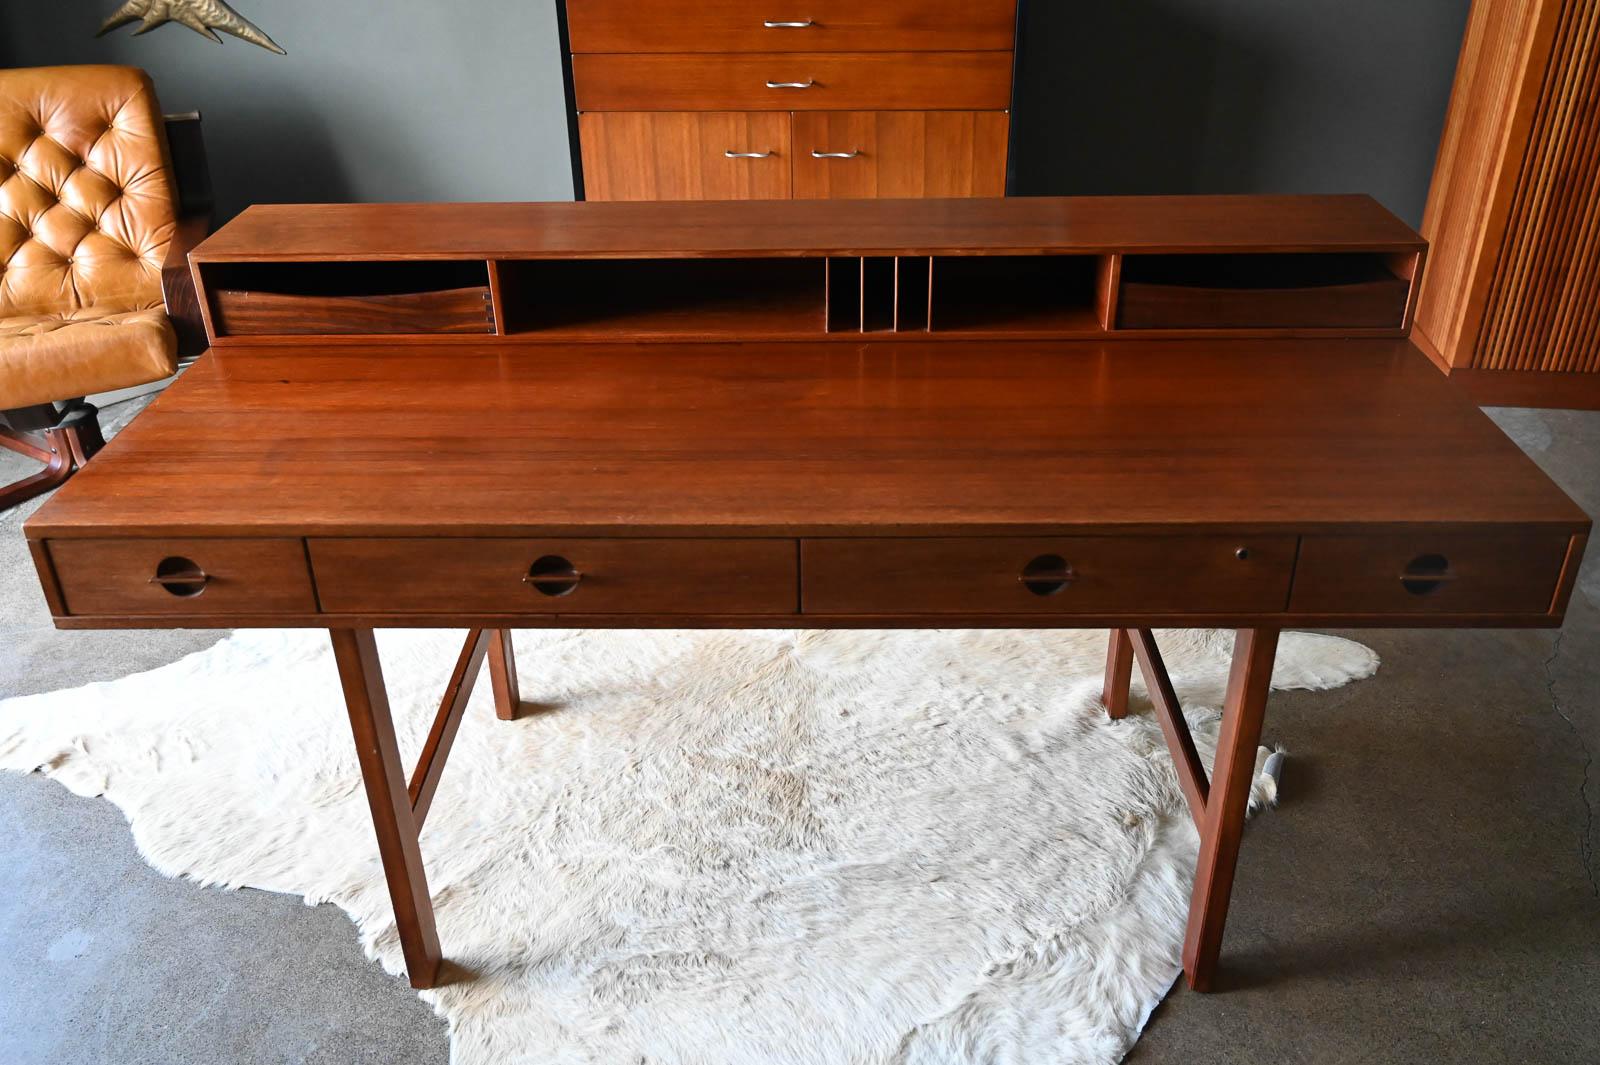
(401, 808)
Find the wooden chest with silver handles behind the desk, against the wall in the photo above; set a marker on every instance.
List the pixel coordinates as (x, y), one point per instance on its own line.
(753, 100)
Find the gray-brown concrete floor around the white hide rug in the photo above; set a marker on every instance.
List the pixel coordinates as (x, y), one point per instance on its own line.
(1428, 891)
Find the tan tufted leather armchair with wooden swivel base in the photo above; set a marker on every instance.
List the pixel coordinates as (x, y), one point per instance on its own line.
(92, 255)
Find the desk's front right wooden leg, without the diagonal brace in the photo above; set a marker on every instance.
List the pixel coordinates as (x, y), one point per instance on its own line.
(1234, 772)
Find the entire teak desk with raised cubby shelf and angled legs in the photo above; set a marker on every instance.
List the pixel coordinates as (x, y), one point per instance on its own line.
(1001, 413)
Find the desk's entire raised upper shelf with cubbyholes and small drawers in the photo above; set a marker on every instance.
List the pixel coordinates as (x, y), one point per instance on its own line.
(1047, 268)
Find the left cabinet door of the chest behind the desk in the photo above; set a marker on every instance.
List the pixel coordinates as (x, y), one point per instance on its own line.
(681, 156)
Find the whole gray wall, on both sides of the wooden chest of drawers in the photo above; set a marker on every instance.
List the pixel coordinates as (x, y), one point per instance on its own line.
(462, 100)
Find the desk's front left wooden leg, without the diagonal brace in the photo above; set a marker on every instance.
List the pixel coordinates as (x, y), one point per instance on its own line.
(386, 792)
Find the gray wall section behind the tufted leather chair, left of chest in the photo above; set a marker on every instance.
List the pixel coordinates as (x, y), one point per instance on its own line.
(377, 100)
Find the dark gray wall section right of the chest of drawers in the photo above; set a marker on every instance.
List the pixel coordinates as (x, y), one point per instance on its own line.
(1236, 97)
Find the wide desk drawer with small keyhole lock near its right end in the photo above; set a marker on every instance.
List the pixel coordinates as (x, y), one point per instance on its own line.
(1074, 575)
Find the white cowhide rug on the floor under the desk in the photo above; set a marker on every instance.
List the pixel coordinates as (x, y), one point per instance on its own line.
(742, 848)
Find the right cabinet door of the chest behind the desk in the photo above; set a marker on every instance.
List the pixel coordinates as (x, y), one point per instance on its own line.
(865, 154)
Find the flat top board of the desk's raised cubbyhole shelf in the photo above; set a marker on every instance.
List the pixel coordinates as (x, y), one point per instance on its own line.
(817, 228)
